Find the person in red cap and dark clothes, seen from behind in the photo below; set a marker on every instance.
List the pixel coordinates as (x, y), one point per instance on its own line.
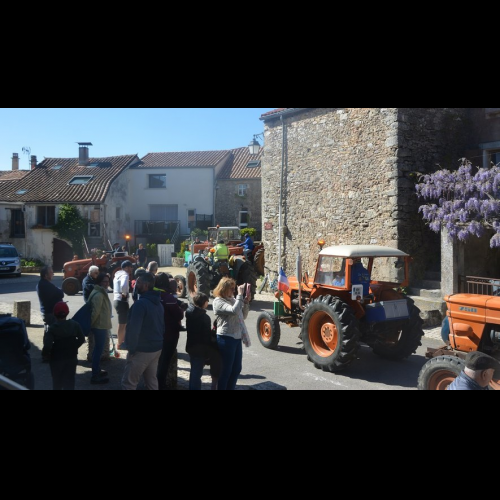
(60, 346)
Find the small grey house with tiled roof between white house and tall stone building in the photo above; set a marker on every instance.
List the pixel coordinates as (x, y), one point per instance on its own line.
(239, 191)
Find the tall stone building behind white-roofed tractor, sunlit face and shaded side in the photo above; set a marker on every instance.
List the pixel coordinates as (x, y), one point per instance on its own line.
(349, 177)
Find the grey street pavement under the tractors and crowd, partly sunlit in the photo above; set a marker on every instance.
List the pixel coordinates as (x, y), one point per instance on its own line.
(286, 368)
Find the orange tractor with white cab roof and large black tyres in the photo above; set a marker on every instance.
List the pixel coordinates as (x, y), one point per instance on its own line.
(355, 297)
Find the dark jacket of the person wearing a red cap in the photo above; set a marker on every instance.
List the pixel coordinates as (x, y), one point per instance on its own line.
(62, 340)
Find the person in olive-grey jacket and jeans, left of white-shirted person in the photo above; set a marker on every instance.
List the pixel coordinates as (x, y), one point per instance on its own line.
(101, 325)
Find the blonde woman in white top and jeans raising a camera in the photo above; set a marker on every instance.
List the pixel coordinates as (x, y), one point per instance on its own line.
(231, 330)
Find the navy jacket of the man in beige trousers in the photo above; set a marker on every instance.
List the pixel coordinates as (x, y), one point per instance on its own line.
(146, 324)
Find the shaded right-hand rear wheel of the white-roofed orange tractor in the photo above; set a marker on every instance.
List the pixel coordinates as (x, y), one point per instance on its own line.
(400, 344)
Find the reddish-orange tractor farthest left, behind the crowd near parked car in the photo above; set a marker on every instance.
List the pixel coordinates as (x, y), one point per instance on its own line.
(76, 270)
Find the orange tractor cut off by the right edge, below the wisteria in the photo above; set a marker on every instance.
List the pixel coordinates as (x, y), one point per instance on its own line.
(472, 324)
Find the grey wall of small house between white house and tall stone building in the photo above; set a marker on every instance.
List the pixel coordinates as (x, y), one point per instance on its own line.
(228, 203)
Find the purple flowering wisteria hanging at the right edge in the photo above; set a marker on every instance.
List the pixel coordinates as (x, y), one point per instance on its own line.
(468, 201)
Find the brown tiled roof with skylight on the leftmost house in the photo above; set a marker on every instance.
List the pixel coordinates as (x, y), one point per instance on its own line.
(47, 185)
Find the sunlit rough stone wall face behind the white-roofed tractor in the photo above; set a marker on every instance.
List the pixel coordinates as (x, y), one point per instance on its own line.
(340, 181)
